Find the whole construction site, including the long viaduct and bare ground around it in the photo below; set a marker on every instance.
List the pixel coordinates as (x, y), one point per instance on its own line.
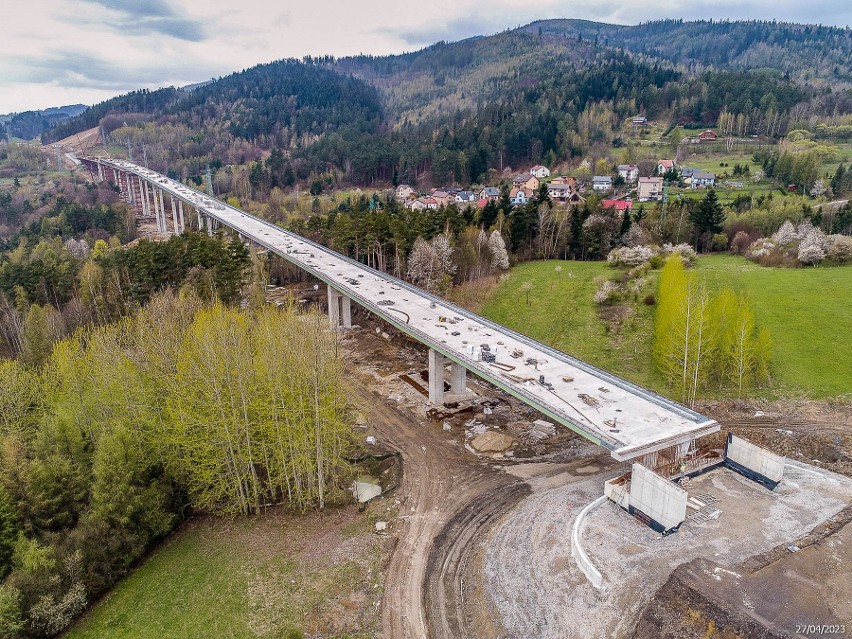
(543, 497)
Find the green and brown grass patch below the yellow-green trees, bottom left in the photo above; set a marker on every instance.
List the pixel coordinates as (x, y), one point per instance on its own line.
(249, 578)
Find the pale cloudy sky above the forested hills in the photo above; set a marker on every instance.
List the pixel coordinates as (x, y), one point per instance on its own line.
(56, 52)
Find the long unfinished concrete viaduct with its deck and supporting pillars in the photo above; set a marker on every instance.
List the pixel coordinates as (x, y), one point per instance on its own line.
(632, 422)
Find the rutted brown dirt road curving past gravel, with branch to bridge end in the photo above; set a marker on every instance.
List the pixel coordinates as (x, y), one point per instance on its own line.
(449, 500)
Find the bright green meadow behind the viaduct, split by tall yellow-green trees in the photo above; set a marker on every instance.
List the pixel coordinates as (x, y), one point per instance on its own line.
(807, 311)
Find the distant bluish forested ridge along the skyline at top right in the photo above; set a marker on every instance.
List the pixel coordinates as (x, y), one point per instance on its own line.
(802, 52)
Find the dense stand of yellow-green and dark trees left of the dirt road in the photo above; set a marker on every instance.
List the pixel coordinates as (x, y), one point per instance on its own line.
(127, 427)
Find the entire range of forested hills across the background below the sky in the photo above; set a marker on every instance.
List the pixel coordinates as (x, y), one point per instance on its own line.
(548, 92)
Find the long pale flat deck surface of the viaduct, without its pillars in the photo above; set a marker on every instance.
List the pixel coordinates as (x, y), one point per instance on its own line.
(625, 418)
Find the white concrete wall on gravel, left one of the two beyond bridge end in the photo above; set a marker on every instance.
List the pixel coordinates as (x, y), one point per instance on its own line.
(657, 499)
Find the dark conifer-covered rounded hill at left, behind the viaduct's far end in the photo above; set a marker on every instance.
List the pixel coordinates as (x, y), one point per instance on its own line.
(274, 103)
